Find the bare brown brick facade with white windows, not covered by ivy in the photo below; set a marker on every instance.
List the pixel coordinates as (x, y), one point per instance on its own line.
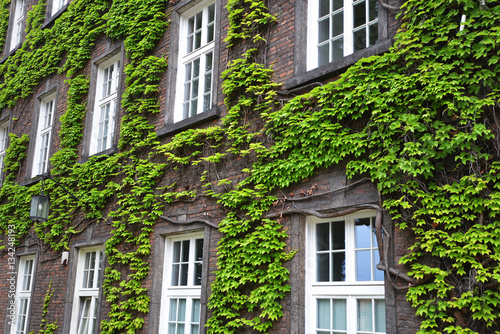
(184, 243)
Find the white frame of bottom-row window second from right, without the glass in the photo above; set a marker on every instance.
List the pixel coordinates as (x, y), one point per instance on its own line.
(190, 293)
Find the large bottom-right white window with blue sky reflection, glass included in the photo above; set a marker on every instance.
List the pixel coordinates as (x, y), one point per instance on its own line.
(345, 291)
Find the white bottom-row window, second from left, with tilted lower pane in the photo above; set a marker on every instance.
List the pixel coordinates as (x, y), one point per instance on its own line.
(87, 284)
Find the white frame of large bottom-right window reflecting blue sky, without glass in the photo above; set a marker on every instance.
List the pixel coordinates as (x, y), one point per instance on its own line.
(350, 290)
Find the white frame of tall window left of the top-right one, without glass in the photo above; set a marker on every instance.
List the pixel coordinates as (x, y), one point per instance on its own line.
(204, 95)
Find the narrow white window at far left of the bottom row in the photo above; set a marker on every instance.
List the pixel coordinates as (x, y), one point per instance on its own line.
(23, 294)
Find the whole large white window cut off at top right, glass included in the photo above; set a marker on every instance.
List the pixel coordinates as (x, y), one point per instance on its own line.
(340, 27)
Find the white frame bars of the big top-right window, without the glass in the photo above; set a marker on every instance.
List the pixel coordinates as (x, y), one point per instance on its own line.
(348, 29)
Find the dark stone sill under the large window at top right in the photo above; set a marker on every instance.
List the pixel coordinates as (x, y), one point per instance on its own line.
(336, 67)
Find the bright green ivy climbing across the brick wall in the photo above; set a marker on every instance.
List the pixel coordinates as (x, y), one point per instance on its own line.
(420, 121)
